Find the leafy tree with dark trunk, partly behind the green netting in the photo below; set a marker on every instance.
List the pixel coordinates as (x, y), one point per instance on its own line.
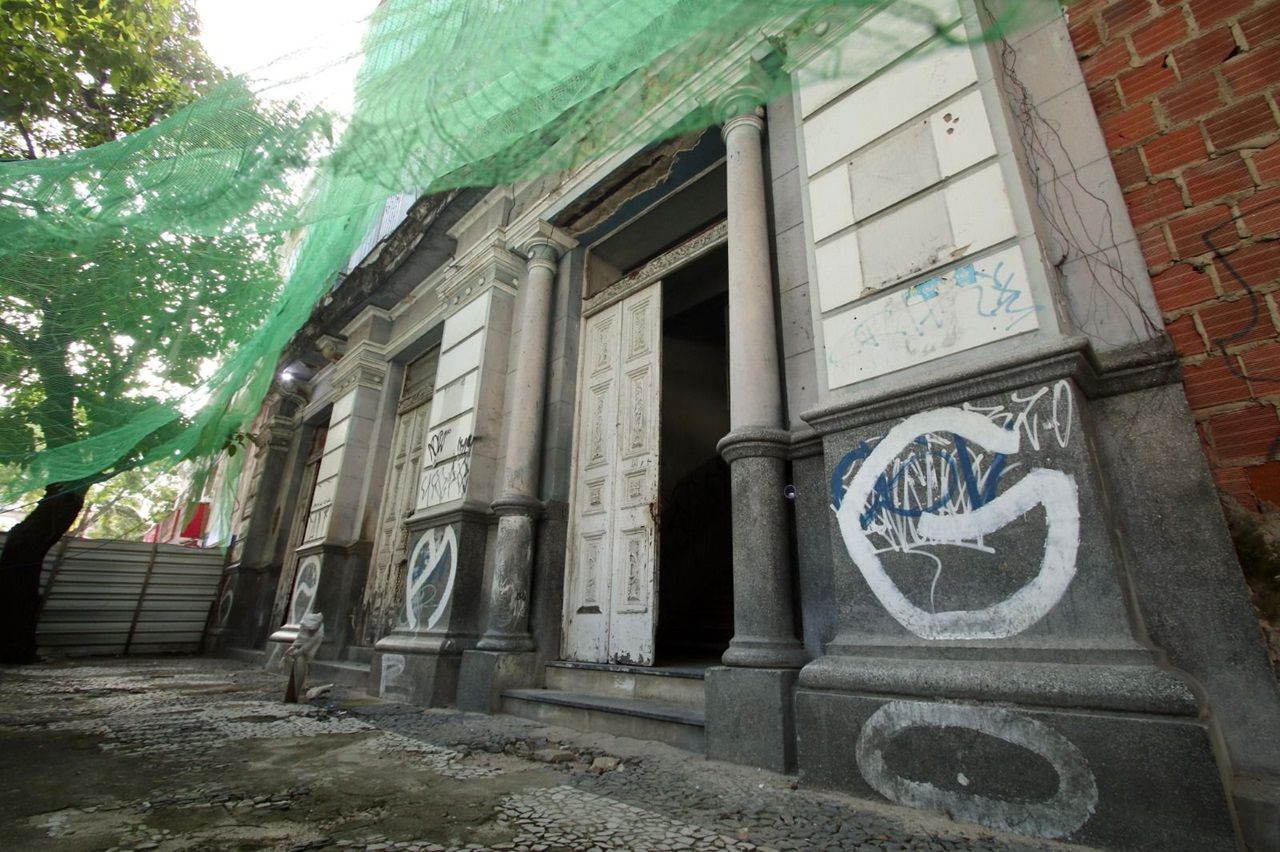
(80, 74)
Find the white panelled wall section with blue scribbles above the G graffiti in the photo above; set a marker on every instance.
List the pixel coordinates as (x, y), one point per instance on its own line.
(915, 242)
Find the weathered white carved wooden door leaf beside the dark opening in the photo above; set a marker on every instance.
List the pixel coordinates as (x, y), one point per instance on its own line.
(611, 592)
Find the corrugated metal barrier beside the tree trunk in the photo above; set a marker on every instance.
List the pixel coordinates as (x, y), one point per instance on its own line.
(126, 597)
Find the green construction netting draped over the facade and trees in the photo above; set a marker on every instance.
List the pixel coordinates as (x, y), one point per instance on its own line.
(149, 286)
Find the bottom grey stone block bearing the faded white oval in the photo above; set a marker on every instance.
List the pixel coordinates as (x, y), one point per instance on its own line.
(1114, 780)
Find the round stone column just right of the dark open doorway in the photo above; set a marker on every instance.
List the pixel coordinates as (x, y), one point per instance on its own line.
(757, 446)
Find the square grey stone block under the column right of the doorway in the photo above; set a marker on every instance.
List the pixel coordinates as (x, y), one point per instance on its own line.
(751, 717)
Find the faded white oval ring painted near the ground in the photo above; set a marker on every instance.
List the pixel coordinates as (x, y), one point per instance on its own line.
(1064, 813)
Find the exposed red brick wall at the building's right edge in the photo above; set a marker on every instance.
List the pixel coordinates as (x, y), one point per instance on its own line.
(1187, 94)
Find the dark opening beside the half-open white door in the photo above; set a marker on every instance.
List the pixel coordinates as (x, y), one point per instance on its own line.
(696, 565)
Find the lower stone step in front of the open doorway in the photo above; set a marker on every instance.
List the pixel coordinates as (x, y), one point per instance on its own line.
(657, 721)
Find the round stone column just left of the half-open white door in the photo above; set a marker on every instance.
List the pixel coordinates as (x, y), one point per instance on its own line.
(519, 507)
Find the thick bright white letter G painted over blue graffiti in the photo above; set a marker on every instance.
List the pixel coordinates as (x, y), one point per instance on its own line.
(1054, 491)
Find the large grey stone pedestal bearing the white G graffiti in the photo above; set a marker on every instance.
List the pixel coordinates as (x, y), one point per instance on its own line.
(991, 659)
